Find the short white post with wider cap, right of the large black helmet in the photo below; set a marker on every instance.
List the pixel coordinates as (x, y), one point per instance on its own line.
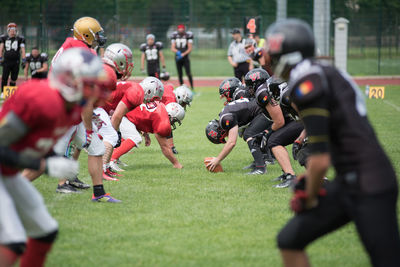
(341, 29)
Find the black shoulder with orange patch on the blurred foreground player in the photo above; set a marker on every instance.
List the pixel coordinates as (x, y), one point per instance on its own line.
(310, 87)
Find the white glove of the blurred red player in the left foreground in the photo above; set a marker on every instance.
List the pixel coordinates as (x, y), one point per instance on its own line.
(60, 167)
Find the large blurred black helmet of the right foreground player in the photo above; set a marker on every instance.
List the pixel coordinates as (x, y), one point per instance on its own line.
(289, 42)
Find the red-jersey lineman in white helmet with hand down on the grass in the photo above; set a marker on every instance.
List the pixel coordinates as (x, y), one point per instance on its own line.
(152, 117)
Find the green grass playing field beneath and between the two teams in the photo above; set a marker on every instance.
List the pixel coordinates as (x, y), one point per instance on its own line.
(191, 217)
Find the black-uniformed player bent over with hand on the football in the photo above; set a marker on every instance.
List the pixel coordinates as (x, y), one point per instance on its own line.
(239, 113)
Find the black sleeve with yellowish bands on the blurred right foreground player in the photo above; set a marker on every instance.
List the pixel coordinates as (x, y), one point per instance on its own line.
(311, 97)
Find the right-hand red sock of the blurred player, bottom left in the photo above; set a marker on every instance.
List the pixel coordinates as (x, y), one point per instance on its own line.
(35, 254)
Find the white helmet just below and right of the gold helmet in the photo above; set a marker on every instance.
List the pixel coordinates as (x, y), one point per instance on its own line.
(119, 56)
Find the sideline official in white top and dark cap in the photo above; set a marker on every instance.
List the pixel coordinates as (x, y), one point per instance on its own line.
(237, 55)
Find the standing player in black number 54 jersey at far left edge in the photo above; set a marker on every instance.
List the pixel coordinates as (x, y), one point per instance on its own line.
(12, 48)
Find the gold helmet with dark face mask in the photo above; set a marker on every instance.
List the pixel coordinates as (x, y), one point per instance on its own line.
(89, 30)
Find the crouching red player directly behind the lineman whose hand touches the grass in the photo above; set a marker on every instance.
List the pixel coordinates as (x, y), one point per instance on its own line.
(149, 90)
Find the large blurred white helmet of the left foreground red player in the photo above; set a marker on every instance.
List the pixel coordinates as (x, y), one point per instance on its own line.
(76, 71)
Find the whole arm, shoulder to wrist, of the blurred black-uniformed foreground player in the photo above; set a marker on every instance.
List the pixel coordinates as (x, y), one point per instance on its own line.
(313, 109)
